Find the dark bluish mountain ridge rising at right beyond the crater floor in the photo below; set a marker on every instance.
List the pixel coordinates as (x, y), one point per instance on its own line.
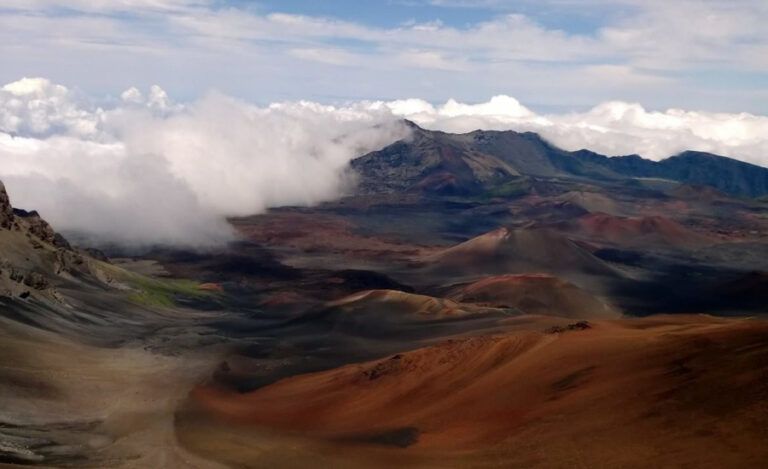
(441, 163)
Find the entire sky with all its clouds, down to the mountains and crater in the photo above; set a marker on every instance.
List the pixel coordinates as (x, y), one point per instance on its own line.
(143, 122)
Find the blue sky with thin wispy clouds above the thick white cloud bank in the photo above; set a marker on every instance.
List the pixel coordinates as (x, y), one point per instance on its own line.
(554, 55)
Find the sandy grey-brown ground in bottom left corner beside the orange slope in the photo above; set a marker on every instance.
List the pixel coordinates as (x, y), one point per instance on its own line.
(65, 403)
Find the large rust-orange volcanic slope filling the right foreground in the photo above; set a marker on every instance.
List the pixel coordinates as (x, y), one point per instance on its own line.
(677, 391)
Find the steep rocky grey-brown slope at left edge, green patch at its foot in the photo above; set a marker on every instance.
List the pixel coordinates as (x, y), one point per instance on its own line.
(50, 285)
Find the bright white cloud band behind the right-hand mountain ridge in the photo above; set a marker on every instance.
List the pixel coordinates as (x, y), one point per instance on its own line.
(612, 128)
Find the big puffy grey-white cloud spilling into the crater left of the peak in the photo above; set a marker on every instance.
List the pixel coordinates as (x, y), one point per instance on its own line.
(152, 171)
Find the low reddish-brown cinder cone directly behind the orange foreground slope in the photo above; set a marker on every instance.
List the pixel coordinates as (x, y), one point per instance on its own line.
(535, 294)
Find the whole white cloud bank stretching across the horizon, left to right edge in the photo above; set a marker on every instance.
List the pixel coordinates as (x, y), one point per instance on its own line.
(148, 170)
